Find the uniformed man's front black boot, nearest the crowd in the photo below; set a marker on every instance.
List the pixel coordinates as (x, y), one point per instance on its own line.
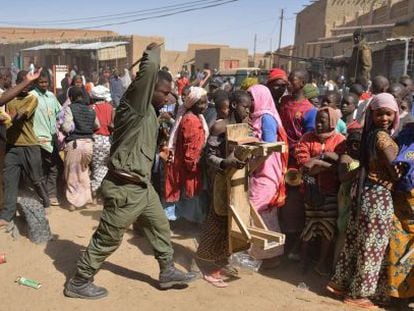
(171, 276)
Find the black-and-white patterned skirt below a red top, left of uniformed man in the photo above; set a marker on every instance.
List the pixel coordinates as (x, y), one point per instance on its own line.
(100, 157)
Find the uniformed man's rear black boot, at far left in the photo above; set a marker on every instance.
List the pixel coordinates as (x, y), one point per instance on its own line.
(79, 287)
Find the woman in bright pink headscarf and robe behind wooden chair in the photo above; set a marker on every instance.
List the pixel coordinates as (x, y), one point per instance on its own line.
(267, 187)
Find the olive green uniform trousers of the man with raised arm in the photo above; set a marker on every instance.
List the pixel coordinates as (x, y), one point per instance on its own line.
(124, 203)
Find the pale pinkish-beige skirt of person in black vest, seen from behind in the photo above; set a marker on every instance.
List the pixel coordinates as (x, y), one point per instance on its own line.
(78, 156)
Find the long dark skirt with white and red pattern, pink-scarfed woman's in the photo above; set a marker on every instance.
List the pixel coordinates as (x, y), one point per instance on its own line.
(358, 268)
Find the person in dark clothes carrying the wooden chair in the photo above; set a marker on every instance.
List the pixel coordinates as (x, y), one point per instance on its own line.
(213, 250)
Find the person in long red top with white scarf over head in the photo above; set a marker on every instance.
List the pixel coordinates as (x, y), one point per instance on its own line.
(183, 181)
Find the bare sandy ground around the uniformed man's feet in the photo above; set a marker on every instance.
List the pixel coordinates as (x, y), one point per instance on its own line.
(131, 274)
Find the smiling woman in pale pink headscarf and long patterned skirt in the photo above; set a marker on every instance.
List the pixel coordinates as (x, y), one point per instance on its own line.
(367, 235)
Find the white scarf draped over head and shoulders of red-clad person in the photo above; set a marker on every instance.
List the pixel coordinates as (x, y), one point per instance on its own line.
(195, 95)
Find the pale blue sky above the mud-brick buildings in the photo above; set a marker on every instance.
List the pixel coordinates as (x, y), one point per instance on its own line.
(234, 23)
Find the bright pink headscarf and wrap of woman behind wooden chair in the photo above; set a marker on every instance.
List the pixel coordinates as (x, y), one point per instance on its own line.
(267, 183)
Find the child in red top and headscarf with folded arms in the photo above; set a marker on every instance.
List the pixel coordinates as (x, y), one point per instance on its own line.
(318, 153)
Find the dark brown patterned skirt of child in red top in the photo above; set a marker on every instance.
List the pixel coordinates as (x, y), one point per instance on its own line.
(321, 220)
